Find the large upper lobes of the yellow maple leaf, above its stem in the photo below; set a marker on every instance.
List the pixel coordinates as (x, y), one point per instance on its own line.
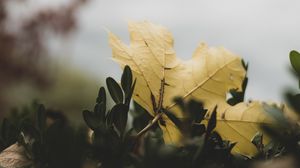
(207, 76)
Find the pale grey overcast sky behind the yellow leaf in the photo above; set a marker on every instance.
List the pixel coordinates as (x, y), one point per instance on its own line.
(260, 31)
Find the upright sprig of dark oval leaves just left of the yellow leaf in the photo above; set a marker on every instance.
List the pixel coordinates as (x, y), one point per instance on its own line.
(109, 139)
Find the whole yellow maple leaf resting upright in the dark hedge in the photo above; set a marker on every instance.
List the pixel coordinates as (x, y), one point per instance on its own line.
(161, 76)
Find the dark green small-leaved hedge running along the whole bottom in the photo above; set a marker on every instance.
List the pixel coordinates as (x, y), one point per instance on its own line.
(50, 140)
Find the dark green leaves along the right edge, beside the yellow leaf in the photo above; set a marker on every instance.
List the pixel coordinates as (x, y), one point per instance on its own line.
(286, 133)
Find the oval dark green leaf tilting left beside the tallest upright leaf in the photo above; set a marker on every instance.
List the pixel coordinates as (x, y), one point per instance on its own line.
(114, 90)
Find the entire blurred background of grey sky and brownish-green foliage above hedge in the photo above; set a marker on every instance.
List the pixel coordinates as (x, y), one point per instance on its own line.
(57, 51)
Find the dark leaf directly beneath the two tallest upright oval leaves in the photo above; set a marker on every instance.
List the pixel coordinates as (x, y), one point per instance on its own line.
(120, 115)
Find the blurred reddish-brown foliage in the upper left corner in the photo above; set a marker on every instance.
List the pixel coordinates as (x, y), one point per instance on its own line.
(24, 52)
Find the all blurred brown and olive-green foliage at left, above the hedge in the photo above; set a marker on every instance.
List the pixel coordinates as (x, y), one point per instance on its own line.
(27, 70)
